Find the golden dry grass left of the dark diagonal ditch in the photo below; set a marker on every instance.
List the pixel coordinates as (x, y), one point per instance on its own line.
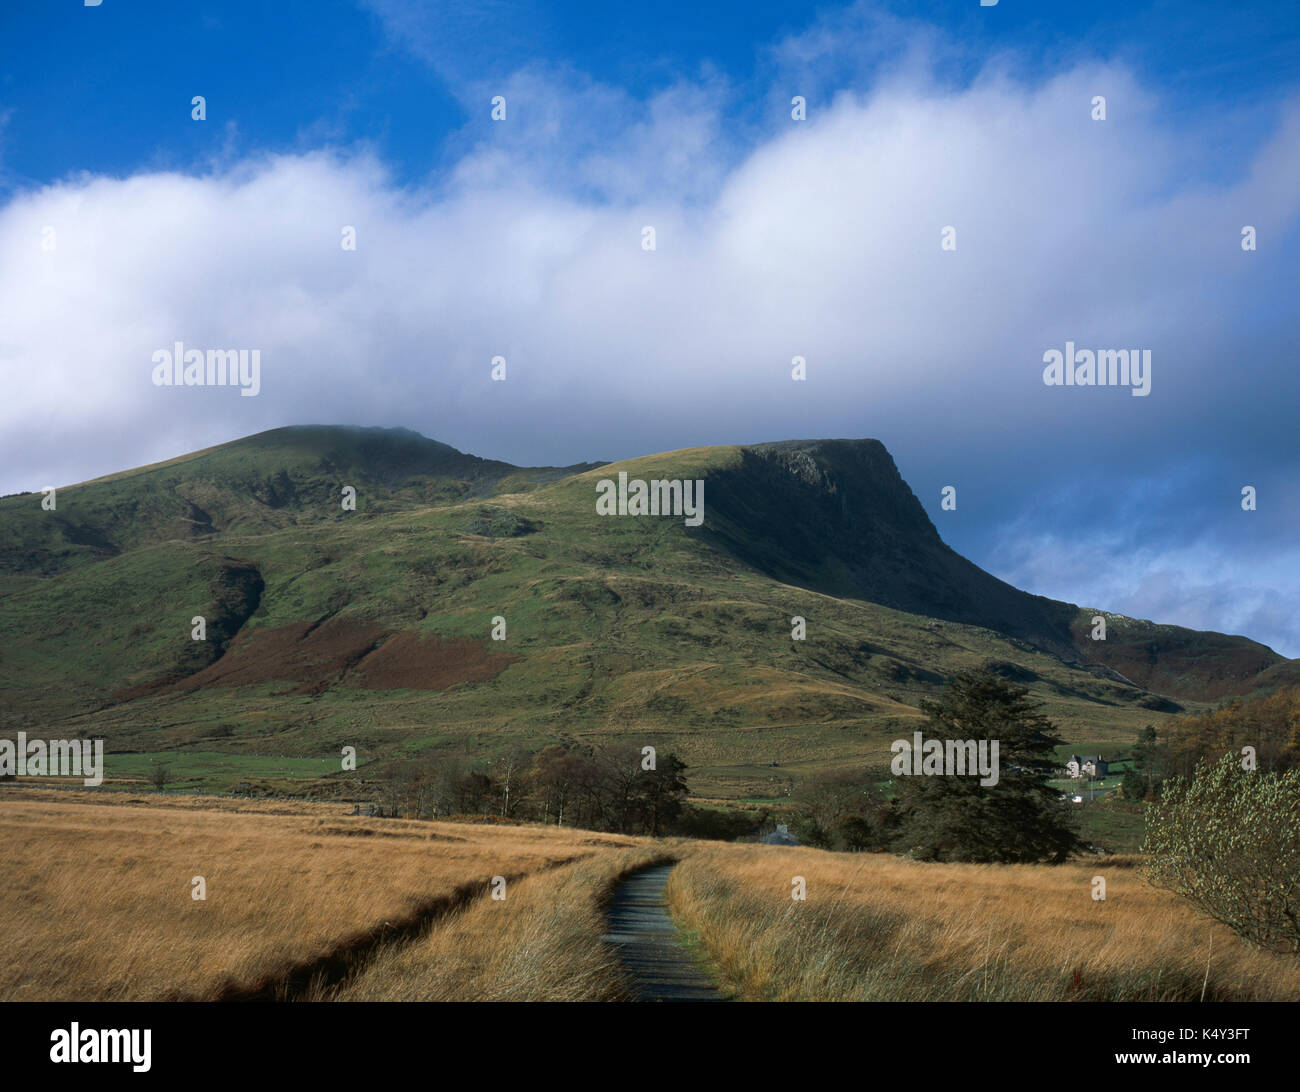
(97, 900)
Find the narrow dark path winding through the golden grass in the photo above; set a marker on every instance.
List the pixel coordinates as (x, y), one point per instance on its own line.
(647, 941)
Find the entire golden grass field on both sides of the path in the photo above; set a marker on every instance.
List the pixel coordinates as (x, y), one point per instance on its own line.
(307, 903)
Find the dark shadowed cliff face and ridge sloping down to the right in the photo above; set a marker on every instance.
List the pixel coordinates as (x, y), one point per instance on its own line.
(837, 517)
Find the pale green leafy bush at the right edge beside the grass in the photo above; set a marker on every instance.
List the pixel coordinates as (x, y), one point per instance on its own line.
(1229, 842)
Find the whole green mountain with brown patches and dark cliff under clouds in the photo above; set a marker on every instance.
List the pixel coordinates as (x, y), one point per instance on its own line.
(328, 627)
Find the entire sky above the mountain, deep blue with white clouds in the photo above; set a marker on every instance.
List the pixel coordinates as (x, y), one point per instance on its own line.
(777, 239)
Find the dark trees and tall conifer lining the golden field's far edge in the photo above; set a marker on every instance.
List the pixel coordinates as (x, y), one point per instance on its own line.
(942, 818)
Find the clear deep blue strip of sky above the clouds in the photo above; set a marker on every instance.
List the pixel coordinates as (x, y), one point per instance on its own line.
(109, 89)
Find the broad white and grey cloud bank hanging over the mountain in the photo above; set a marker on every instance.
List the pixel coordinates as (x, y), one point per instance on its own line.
(775, 240)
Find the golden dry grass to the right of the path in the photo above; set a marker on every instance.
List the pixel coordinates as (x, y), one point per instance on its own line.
(882, 929)
